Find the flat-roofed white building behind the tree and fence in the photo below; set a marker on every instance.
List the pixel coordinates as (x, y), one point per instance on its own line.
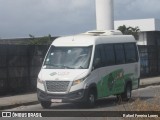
(149, 30)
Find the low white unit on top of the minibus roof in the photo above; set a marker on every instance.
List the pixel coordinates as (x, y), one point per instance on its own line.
(103, 33)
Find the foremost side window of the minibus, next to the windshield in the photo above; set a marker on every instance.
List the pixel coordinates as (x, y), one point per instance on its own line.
(97, 62)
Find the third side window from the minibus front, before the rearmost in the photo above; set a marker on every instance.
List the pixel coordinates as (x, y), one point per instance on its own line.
(119, 52)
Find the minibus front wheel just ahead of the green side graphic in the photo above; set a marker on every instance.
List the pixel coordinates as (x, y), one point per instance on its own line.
(91, 98)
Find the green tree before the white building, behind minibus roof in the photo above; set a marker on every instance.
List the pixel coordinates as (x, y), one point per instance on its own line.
(129, 31)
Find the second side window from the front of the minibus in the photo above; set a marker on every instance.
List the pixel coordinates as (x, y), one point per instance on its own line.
(110, 55)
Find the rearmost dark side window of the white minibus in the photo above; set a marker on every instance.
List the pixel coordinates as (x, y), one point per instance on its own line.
(130, 51)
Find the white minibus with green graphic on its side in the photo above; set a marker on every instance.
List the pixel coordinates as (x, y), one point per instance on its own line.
(88, 67)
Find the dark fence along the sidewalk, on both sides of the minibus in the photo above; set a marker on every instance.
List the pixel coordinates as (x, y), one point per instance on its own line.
(20, 64)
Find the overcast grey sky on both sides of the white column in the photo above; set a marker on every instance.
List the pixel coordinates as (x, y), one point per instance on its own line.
(19, 18)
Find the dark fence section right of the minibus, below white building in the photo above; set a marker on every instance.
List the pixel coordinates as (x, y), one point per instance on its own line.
(150, 60)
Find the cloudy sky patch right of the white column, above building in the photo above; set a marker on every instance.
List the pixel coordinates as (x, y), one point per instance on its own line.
(132, 9)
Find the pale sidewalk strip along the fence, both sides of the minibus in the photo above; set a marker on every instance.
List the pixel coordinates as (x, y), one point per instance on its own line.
(30, 99)
